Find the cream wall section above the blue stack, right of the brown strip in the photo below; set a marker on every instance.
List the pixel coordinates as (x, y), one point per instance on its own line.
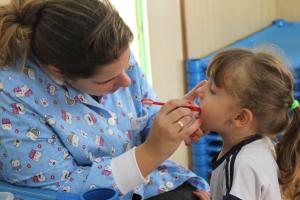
(213, 24)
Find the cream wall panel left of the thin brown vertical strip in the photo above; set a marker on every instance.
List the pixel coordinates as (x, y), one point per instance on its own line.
(167, 56)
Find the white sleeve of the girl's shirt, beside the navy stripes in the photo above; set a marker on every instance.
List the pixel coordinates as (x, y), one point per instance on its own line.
(255, 169)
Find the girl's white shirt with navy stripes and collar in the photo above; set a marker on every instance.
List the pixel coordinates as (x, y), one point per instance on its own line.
(255, 174)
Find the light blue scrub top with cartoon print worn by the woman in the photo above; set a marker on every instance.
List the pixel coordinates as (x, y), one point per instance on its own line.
(55, 137)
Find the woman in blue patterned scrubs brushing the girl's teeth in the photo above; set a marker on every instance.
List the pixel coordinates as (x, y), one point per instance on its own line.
(72, 118)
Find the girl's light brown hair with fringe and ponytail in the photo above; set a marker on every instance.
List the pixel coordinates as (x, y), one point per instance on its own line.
(262, 83)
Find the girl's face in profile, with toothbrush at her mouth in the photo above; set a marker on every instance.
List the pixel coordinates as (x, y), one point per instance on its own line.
(218, 108)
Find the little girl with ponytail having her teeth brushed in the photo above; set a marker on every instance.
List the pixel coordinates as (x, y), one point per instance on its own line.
(248, 99)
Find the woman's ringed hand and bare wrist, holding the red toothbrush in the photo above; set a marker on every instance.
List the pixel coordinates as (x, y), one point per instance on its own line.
(171, 126)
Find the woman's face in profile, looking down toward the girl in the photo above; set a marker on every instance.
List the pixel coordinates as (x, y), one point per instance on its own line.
(107, 79)
